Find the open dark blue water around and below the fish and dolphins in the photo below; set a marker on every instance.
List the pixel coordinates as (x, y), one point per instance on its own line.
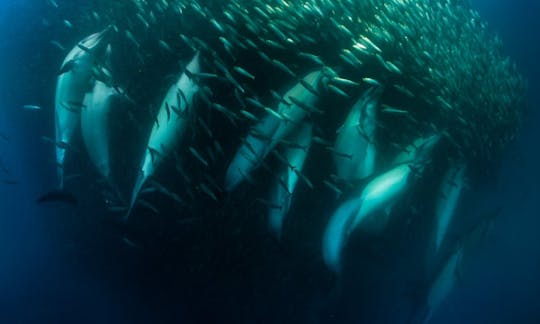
(59, 264)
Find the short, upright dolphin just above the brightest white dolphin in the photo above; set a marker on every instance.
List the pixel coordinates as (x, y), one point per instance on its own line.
(354, 146)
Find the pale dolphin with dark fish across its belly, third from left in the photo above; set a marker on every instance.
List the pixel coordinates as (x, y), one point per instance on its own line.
(170, 125)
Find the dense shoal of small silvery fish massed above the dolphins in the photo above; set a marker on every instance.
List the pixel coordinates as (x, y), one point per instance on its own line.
(442, 69)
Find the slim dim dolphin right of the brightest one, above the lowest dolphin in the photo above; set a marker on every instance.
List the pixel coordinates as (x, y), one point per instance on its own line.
(447, 201)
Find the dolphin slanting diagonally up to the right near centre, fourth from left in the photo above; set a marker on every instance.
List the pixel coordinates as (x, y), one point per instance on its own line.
(297, 103)
